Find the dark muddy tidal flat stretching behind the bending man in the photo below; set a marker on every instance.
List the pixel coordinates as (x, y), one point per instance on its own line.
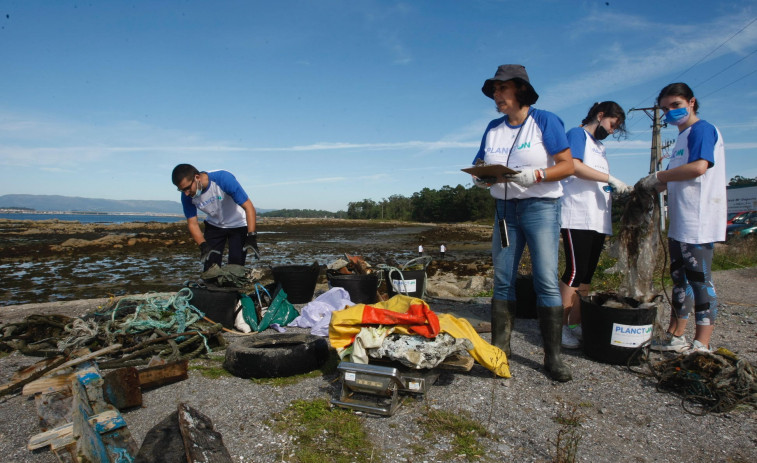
(47, 261)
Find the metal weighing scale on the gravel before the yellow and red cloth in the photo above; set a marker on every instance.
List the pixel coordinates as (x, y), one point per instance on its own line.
(376, 389)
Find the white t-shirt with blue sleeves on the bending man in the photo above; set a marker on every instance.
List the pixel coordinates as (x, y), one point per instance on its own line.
(221, 201)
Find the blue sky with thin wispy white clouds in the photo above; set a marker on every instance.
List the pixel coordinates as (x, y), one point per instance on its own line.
(315, 104)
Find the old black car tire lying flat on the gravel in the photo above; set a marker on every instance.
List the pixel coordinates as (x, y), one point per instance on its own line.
(275, 355)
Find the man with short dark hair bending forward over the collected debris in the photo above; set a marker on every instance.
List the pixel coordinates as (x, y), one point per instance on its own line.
(230, 214)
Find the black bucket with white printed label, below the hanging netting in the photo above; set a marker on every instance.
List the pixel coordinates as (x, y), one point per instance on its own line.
(612, 335)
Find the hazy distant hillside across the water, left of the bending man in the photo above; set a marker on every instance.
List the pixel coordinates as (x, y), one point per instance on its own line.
(71, 203)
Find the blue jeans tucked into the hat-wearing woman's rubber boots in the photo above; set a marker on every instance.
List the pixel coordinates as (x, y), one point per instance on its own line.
(534, 222)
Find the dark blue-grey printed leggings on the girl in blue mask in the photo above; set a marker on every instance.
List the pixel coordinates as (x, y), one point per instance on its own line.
(690, 270)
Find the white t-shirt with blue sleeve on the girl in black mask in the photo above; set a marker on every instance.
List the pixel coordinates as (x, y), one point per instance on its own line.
(585, 205)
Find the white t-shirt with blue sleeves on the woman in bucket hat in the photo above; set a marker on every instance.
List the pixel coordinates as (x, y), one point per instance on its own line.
(542, 135)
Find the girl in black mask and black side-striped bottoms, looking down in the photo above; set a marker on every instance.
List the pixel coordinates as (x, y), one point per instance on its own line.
(586, 209)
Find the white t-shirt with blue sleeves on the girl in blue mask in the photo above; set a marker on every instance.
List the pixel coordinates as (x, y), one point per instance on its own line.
(698, 207)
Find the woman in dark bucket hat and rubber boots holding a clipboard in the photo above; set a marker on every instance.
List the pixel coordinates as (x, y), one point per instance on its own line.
(533, 143)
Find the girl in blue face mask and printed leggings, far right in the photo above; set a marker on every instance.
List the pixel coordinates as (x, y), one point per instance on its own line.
(697, 208)
